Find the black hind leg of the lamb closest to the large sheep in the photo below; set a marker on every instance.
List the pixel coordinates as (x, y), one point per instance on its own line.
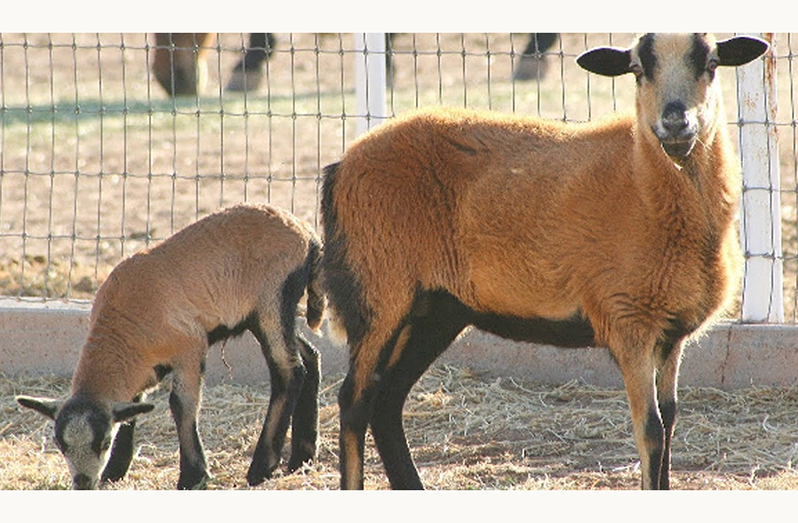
(305, 422)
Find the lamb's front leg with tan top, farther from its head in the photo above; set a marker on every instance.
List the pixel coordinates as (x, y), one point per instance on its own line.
(184, 402)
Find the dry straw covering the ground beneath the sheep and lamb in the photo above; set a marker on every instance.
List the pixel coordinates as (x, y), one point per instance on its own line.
(465, 432)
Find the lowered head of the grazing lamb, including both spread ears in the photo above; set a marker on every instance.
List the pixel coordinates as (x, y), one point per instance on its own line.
(84, 431)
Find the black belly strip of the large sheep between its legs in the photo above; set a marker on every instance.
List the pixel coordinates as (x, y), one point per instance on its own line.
(573, 332)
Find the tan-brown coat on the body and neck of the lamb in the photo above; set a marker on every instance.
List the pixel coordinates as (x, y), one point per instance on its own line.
(158, 306)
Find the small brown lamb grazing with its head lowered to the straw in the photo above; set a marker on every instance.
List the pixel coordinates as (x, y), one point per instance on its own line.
(244, 268)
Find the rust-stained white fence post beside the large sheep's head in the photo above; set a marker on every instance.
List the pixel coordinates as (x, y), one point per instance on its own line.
(760, 219)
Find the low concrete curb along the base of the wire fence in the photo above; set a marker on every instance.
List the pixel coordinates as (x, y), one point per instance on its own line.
(45, 338)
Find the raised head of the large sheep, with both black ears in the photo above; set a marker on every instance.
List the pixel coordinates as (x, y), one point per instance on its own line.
(678, 97)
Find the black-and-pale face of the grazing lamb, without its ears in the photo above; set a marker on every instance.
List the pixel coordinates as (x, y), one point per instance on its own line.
(84, 431)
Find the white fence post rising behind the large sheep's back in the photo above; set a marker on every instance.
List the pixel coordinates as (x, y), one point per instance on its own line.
(370, 78)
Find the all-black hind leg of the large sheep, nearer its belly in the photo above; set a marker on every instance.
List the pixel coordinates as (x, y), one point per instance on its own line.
(429, 334)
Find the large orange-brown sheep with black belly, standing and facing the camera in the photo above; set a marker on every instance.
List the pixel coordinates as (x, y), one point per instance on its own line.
(617, 234)
